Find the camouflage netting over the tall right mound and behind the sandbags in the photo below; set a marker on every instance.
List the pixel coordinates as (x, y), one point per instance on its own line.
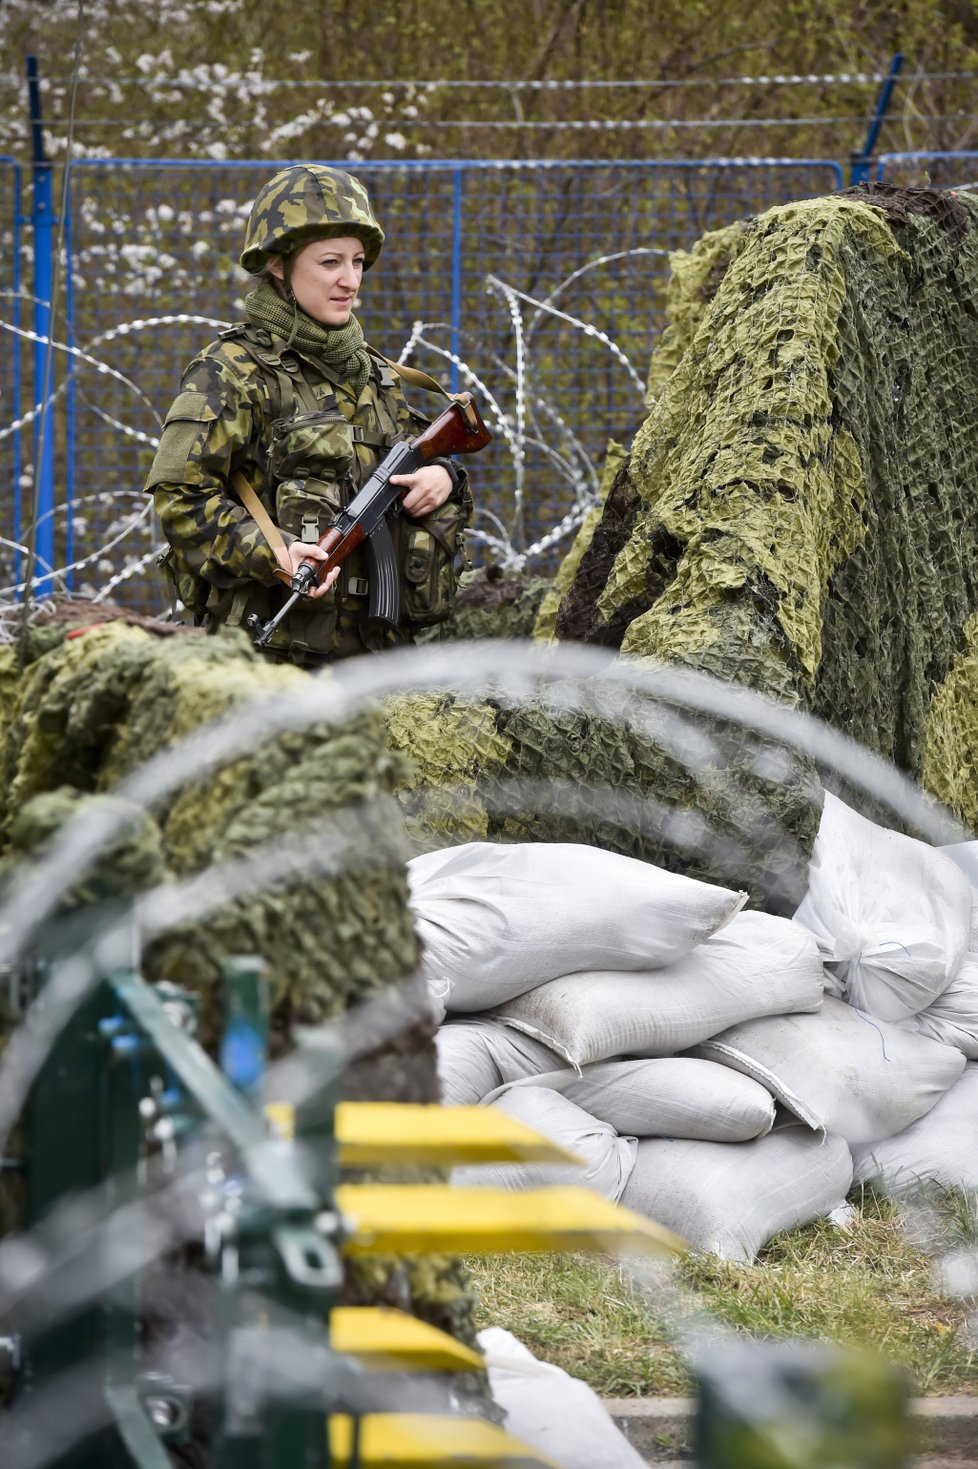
(797, 515)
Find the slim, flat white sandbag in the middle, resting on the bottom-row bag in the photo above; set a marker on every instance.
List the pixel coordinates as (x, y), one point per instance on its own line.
(675, 1098)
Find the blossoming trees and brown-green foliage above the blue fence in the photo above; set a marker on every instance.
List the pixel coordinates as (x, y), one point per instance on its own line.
(544, 42)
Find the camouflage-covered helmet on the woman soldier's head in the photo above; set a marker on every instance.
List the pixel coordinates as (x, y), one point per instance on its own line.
(309, 202)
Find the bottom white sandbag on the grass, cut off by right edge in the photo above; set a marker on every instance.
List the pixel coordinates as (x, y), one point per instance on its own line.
(942, 1147)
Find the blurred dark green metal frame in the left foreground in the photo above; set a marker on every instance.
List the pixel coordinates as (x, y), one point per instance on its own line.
(121, 1095)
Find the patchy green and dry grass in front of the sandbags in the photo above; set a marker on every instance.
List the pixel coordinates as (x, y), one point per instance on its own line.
(873, 1285)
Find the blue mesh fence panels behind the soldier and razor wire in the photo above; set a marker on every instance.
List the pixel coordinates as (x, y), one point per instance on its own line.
(152, 237)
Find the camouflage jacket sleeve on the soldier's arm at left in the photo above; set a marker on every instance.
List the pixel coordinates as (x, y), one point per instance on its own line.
(214, 430)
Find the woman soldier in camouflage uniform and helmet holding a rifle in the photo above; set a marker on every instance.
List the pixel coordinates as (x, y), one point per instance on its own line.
(277, 427)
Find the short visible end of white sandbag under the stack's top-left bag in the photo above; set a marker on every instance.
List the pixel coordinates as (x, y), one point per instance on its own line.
(477, 1057)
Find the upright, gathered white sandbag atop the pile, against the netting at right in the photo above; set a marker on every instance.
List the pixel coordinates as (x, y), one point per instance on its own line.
(892, 916)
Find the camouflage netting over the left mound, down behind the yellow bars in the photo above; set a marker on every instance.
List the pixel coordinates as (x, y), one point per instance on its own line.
(89, 710)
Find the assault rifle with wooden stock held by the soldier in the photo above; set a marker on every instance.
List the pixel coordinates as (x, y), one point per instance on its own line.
(459, 430)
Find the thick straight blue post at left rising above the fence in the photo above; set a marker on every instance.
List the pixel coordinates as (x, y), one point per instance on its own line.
(43, 223)
